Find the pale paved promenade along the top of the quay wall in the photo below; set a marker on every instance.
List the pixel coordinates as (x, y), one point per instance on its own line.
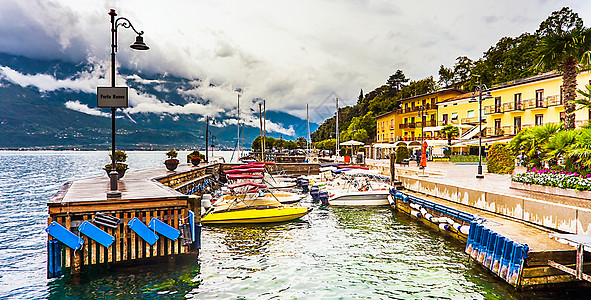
(463, 175)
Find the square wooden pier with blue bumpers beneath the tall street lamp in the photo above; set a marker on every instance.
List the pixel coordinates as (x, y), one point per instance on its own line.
(170, 197)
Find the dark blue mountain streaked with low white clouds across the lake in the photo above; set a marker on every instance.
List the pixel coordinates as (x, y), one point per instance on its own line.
(52, 105)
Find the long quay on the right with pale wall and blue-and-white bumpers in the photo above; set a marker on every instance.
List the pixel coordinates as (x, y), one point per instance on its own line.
(528, 222)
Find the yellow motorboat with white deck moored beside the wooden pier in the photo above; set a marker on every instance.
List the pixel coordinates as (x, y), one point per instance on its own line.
(251, 208)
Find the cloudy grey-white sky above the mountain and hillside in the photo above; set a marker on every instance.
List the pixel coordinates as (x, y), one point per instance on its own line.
(287, 52)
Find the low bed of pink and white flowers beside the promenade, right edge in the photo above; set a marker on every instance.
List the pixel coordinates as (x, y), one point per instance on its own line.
(555, 178)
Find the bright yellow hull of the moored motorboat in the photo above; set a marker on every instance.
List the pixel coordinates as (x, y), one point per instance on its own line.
(256, 215)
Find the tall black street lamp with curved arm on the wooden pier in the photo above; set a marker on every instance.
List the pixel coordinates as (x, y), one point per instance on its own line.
(137, 45)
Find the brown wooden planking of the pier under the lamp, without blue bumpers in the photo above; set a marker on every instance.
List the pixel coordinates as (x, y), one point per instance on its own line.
(143, 196)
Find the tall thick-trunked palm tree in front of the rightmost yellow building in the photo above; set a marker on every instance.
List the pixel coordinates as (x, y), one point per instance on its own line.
(565, 50)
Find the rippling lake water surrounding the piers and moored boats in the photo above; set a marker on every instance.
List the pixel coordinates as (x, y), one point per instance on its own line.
(332, 253)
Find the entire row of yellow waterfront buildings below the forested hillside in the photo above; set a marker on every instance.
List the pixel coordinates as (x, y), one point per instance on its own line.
(514, 106)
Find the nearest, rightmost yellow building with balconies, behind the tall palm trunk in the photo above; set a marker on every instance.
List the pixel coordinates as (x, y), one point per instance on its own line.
(529, 102)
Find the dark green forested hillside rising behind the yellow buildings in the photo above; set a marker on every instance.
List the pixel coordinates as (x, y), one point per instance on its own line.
(510, 58)
